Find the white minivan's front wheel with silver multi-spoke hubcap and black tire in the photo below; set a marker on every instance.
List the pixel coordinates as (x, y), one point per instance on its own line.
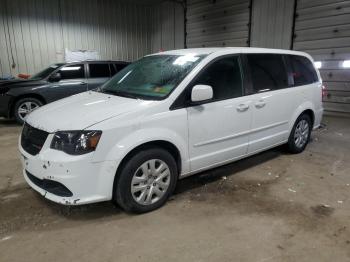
(137, 174)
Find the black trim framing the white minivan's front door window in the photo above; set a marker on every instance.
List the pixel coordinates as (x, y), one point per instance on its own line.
(183, 100)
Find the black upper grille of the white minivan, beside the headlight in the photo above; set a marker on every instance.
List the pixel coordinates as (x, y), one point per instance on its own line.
(33, 139)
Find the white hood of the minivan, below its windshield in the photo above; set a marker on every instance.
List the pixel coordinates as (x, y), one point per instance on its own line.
(83, 110)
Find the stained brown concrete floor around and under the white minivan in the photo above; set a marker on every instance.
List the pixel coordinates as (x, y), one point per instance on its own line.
(270, 207)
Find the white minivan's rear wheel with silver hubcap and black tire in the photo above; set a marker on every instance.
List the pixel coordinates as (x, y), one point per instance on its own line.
(300, 135)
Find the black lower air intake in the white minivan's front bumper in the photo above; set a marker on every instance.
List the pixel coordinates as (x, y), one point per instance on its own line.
(51, 186)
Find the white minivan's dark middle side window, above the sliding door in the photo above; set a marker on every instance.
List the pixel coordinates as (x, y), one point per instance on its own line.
(267, 71)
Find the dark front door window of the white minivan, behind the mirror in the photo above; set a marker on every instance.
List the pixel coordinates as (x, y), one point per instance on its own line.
(224, 76)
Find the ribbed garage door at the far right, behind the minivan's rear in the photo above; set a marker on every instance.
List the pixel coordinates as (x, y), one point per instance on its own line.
(322, 28)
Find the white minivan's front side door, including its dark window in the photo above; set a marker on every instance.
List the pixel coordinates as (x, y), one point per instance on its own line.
(219, 129)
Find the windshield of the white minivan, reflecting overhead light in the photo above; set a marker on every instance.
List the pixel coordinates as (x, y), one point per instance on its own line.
(151, 77)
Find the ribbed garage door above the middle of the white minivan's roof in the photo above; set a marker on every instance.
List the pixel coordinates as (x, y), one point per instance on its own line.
(217, 23)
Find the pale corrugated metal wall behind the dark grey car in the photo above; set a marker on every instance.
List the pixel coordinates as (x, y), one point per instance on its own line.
(35, 33)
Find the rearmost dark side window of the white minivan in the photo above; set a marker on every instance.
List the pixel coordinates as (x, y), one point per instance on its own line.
(303, 71)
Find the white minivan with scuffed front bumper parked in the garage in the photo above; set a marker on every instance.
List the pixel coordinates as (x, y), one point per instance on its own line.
(167, 116)
